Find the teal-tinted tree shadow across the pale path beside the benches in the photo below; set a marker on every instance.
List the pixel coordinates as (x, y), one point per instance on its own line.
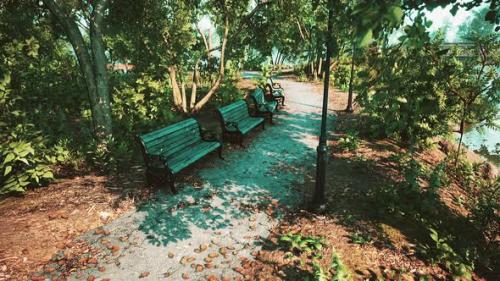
(256, 176)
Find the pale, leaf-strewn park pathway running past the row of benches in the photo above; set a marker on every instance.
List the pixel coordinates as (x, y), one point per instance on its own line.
(207, 229)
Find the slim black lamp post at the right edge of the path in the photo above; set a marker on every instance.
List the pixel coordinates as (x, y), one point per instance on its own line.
(321, 162)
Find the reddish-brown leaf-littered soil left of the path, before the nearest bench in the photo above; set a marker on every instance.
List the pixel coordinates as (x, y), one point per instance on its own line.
(35, 226)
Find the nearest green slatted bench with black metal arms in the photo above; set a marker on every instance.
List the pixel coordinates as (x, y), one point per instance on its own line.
(169, 150)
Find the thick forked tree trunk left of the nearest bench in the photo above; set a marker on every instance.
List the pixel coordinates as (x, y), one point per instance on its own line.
(92, 62)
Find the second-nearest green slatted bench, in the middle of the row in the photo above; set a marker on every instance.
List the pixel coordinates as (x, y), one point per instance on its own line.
(237, 122)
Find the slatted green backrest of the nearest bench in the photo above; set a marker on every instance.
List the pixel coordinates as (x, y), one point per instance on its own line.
(171, 139)
